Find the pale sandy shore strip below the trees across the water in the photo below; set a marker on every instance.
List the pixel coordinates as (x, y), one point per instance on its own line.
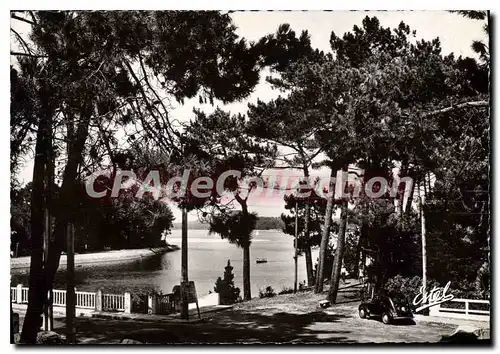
(22, 264)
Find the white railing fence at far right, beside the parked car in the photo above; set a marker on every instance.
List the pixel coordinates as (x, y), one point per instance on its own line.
(463, 308)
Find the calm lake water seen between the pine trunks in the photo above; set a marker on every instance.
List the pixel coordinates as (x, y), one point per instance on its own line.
(208, 255)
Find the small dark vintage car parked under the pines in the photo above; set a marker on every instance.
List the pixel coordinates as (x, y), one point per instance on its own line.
(388, 308)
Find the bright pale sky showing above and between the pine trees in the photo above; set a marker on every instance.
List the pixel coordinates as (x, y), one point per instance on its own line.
(455, 32)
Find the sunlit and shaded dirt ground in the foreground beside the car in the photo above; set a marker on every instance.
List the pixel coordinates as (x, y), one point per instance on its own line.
(286, 319)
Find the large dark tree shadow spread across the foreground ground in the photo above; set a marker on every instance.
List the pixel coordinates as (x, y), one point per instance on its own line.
(235, 327)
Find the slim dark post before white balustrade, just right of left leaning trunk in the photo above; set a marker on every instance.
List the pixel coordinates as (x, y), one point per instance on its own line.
(70, 285)
